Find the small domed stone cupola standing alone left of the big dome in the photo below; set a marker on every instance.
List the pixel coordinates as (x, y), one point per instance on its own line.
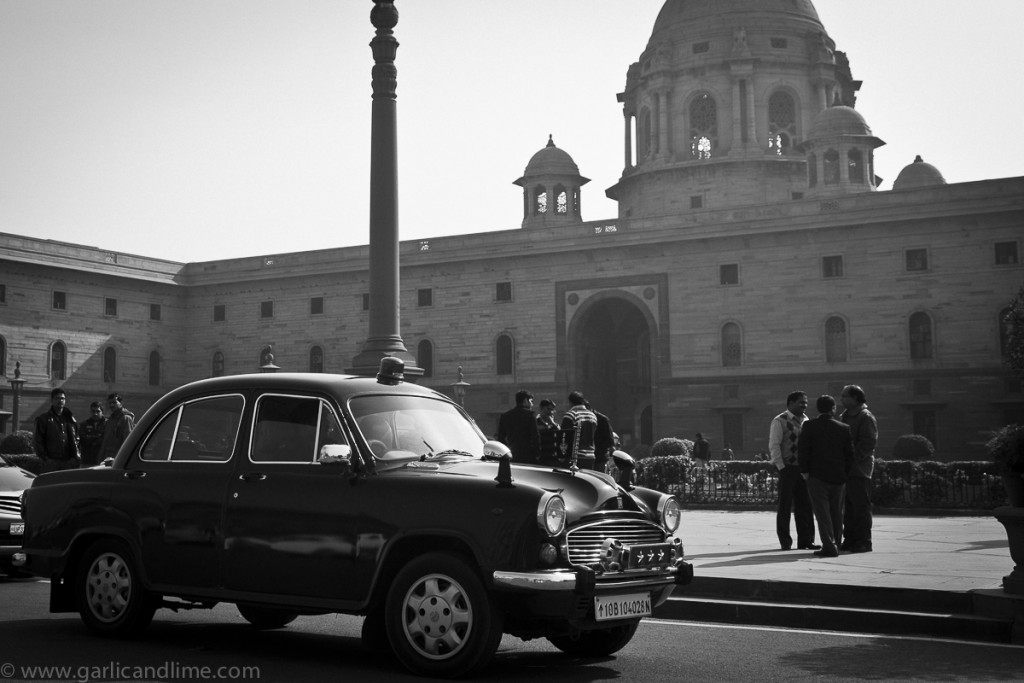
(551, 189)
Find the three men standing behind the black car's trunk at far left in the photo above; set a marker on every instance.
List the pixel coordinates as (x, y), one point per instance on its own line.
(63, 445)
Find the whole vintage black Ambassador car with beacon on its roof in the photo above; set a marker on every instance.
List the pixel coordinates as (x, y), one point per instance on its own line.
(308, 494)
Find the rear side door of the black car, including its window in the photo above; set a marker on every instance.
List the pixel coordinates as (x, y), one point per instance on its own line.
(178, 483)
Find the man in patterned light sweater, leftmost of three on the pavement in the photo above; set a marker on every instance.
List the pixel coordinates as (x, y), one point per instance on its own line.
(793, 498)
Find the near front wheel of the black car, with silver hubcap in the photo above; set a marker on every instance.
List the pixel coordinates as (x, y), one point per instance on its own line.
(440, 619)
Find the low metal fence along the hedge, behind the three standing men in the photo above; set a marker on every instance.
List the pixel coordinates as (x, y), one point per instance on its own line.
(966, 486)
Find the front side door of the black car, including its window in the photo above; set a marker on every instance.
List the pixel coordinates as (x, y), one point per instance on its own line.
(296, 527)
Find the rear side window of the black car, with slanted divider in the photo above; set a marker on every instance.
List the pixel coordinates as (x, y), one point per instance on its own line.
(203, 431)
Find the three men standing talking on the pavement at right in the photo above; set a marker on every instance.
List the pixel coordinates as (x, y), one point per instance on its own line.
(826, 468)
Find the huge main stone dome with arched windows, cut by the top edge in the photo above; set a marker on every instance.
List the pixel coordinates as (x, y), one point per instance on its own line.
(719, 101)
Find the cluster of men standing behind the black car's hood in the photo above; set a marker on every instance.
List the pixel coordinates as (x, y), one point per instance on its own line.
(583, 437)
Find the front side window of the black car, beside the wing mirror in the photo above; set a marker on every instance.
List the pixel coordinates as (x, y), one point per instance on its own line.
(291, 430)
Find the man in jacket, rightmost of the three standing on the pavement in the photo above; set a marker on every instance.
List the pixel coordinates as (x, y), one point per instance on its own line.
(865, 432)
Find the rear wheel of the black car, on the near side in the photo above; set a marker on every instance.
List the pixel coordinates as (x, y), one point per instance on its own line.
(112, 601)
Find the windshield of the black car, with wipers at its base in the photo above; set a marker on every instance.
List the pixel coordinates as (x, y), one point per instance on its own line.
(397, 426)
